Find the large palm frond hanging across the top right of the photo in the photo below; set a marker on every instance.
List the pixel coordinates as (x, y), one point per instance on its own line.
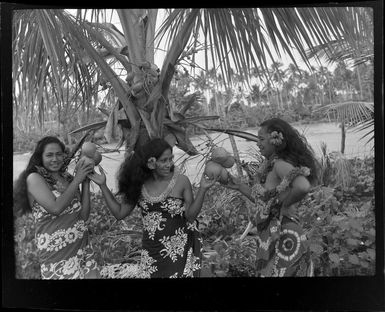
(242, 36)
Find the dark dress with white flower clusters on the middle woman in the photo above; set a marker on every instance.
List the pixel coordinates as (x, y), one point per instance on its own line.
(171, 245)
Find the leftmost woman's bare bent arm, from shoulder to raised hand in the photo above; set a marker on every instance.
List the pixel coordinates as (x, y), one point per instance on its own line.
(39, 190)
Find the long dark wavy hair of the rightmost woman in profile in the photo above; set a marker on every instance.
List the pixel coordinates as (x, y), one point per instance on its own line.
(294, 148)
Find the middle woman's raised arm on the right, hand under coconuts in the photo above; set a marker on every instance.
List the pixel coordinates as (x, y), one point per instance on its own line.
(194, 206)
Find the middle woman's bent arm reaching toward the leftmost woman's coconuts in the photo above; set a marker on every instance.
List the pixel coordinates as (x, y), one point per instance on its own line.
(119, 210)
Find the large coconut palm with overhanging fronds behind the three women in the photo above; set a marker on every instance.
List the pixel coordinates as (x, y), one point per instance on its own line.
(66, 48)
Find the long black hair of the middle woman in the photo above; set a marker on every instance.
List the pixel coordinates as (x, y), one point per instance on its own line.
(134, 171)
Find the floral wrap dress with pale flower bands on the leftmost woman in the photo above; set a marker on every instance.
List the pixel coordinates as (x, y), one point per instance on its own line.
(62, 240)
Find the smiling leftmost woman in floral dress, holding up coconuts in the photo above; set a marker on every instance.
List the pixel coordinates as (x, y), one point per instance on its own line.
(59, 211)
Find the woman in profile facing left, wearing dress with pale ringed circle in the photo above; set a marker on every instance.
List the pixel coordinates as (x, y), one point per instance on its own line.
(279, 187)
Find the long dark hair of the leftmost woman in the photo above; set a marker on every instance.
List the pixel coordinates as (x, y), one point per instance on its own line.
(20, 194)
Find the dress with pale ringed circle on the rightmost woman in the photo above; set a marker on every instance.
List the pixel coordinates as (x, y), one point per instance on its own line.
(282, 245)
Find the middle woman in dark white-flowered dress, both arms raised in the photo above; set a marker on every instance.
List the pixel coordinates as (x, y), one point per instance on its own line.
(171, 245)
